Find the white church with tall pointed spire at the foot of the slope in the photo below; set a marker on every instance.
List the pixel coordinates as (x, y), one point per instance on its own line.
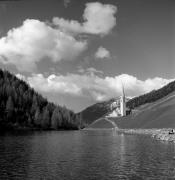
(118, 107)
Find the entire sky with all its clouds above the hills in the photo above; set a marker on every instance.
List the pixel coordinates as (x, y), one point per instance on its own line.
(76, 53)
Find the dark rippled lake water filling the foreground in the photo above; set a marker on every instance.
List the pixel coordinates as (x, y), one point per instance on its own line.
(85, 155)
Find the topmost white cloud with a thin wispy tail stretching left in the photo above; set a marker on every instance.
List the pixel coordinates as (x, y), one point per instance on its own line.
(98, 19)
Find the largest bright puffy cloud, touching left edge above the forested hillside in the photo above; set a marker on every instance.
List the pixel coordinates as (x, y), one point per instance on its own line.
(34, 40)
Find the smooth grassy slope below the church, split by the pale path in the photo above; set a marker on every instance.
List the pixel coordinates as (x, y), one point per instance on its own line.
(160, 114)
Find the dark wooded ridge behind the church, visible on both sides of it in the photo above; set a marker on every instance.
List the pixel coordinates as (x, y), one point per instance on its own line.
(94, 112)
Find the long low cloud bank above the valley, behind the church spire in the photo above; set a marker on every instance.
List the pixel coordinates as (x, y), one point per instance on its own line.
(93, 86)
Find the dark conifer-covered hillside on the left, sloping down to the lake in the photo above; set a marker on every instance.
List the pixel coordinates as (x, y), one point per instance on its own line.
(22, 107)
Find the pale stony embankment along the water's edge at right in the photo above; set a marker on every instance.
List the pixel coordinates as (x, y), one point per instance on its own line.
(159, 134)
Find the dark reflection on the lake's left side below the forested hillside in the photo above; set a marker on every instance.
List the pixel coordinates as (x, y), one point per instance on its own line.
(13, 152)
